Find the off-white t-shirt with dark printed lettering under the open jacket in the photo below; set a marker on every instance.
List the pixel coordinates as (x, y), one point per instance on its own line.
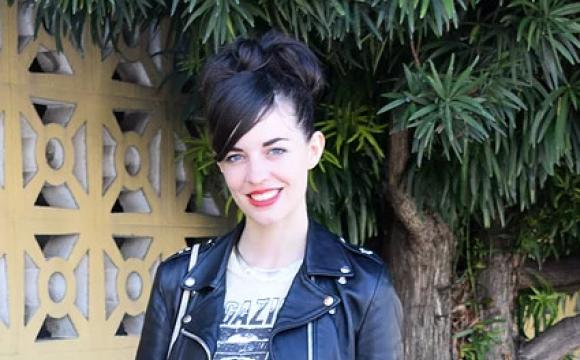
(253, 298)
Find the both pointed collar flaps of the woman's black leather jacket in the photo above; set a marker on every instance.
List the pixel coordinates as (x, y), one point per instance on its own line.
(323, 257)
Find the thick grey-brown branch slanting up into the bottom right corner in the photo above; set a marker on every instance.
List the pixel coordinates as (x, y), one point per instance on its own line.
(555, 342)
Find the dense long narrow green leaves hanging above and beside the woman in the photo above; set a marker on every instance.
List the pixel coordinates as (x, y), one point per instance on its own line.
(489, 89)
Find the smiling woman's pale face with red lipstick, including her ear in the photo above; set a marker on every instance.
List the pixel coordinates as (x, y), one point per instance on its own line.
(267, 169)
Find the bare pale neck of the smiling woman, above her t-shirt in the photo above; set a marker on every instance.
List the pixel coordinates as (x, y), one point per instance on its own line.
(275, 245)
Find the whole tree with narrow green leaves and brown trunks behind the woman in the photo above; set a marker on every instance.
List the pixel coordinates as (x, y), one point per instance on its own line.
(446, 119)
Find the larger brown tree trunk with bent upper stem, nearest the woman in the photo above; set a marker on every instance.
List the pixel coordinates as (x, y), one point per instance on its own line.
(420, 257)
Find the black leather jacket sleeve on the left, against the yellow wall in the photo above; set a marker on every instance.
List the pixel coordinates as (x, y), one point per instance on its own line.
(158, 324)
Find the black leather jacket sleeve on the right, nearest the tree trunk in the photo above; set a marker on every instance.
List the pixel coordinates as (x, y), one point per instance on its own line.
(380, 335)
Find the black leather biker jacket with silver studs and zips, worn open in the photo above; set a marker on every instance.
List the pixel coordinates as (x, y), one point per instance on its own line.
(344, 293)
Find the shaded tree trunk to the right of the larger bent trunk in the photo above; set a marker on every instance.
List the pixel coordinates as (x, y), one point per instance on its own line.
(498, 284)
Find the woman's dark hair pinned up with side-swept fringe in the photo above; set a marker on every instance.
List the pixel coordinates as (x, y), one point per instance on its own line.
(240, 83)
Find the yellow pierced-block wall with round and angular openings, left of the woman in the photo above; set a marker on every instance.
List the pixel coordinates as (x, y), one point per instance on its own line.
(91, 194)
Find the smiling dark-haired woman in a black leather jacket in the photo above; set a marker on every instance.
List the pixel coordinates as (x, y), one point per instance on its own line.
(279, 286)
